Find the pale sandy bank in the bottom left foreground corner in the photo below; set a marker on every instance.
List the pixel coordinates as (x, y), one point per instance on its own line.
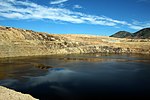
(8, 94)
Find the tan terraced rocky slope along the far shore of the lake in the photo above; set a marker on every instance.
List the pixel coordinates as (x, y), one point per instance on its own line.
(18, 42)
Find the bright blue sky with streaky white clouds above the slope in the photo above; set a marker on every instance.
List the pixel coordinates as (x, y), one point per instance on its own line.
(95, 17)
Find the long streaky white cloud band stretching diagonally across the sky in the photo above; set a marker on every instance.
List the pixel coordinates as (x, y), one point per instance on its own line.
(13, 9)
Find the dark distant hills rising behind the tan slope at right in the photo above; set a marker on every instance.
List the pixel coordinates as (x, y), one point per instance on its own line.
(141, 34)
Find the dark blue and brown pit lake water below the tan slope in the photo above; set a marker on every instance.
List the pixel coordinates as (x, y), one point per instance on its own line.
(78, 77)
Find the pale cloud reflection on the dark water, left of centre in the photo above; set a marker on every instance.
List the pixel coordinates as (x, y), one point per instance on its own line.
(53, 75)
